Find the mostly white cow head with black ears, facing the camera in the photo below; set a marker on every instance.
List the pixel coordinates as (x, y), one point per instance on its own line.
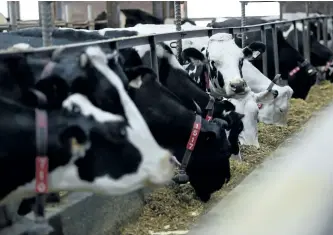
(225, 62)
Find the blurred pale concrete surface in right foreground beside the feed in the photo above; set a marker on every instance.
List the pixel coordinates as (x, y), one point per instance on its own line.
(290, 194)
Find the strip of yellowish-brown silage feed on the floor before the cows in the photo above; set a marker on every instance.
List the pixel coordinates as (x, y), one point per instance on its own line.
(171, 210)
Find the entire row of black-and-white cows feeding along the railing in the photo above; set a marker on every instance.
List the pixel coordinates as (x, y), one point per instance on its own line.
(116, 126)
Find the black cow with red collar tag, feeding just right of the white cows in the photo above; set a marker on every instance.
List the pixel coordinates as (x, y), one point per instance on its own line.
(299, 73)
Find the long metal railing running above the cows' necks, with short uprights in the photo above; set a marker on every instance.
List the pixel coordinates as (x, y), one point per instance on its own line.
(156, 38)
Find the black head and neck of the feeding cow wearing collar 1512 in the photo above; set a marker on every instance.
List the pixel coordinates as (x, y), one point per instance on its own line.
(171, 124)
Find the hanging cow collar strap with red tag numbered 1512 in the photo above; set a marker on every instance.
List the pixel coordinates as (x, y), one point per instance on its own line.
(182, 177)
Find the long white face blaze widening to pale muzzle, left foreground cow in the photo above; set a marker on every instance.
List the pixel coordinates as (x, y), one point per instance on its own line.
(156, 165)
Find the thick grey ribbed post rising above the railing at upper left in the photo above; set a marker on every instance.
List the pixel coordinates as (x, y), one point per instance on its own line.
(47, 23)
